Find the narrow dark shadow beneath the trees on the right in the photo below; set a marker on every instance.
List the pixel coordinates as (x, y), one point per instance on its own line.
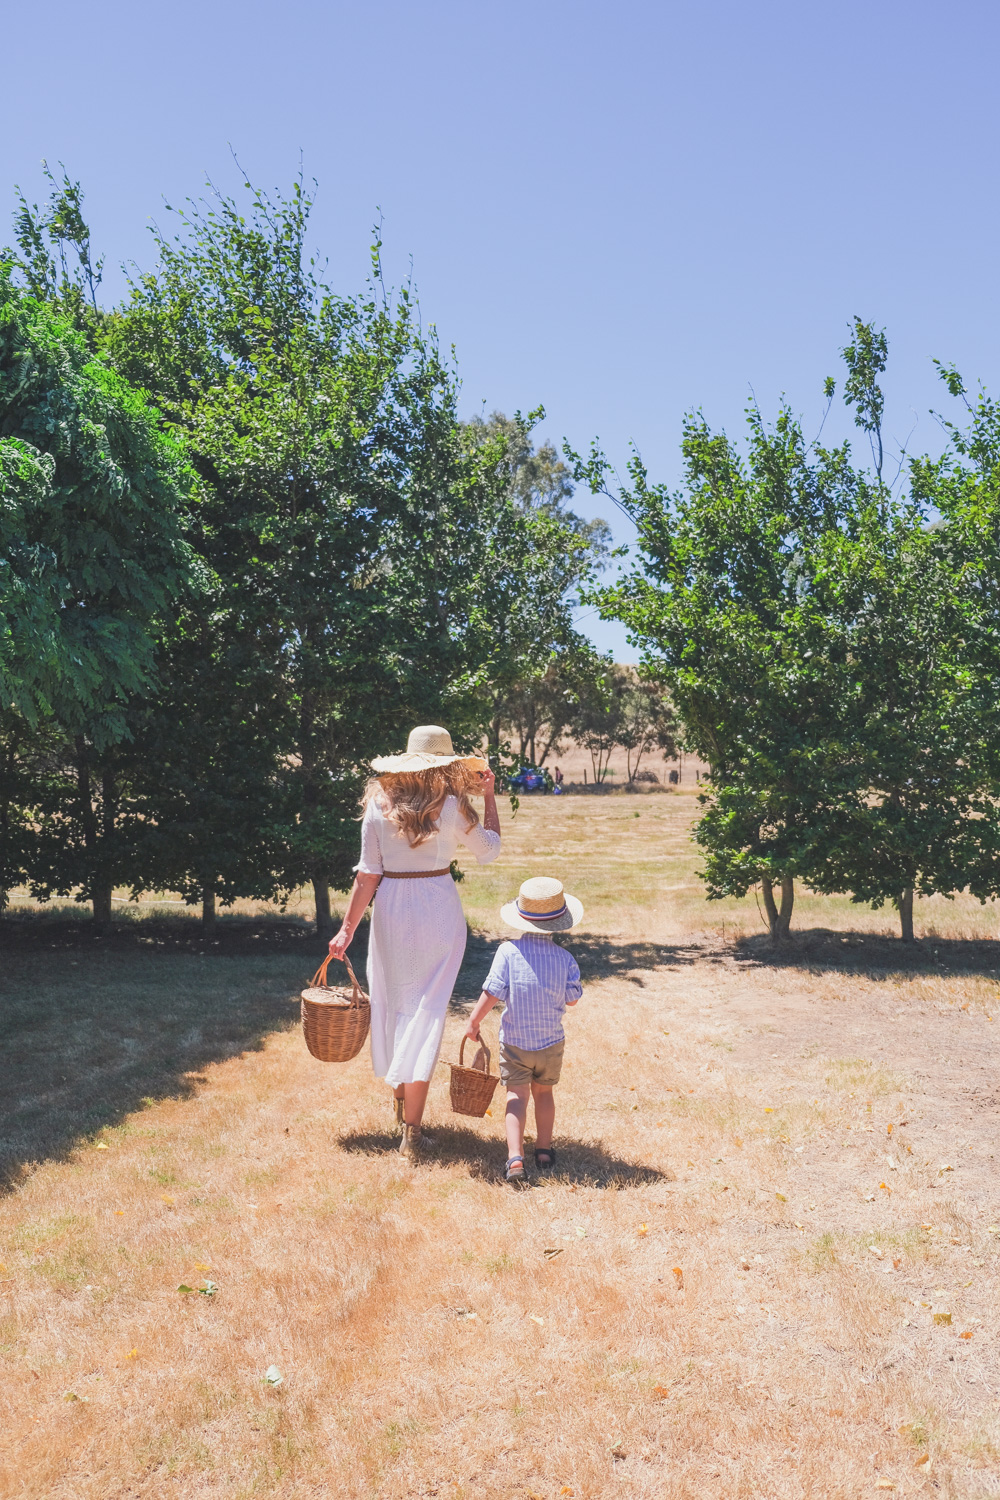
(819, 950)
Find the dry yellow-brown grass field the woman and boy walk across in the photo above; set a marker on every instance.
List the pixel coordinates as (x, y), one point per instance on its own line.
(765, 1268)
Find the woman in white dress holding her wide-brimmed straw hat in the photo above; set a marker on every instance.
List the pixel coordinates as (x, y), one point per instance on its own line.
(418, 812)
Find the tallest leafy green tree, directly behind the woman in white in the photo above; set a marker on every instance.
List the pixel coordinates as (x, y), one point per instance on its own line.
(371, 565)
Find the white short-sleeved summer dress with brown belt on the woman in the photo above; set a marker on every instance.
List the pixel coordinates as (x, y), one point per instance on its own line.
(418, 940)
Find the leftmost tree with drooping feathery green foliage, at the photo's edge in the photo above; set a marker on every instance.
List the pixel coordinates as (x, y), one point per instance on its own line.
(94, 559)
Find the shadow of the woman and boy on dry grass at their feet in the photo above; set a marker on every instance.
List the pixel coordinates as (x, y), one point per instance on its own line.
(578, 1162)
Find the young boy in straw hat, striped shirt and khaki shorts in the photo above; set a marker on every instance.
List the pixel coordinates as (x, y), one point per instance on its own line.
(537, 982)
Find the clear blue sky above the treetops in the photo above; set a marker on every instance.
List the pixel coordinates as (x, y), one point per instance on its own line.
(618, 211)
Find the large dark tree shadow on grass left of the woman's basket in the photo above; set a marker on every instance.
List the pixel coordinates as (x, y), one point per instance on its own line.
(88, 1037)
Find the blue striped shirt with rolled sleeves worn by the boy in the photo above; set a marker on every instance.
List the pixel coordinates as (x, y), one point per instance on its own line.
(534, 979)
